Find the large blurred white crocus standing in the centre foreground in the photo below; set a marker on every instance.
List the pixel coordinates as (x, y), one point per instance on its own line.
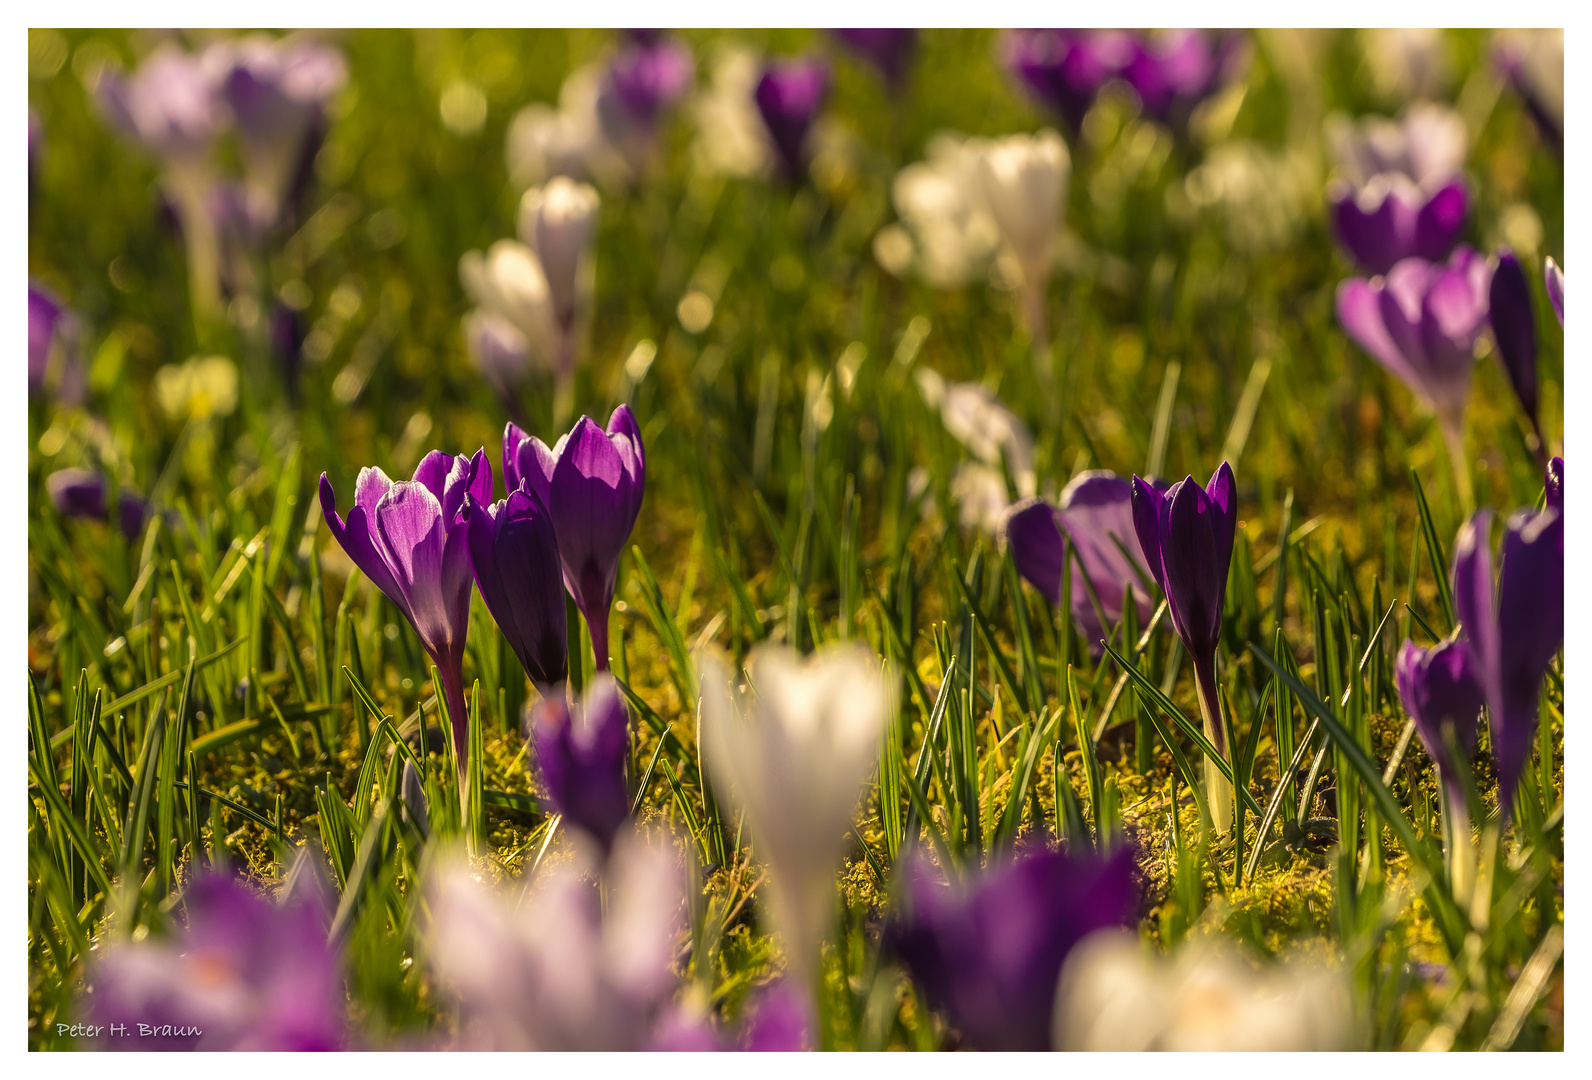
(794, 749)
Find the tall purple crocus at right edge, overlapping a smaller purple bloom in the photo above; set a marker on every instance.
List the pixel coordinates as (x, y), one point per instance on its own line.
(1515, 630)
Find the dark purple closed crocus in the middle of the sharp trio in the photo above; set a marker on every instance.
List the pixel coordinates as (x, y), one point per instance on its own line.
(515, 560)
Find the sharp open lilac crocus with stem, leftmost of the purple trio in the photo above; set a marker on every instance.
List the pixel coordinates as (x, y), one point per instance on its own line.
(412, 542)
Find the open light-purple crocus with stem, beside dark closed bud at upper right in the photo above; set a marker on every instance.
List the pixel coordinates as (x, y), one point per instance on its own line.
(1421, 323)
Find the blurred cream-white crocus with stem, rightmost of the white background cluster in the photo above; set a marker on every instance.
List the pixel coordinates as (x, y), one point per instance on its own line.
(1024, 181)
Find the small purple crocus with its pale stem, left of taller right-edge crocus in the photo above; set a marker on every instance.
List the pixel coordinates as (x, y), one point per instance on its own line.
(1442, 694)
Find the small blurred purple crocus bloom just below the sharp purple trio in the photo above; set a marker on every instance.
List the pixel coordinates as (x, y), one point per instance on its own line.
(582, 754)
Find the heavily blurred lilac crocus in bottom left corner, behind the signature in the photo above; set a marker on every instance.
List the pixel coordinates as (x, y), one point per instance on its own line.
(241, 974)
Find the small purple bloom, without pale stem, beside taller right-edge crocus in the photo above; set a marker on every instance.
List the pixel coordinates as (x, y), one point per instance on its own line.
(1443, 697)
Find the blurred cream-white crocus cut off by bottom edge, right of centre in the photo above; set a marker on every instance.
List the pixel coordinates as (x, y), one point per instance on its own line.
(1115, 995)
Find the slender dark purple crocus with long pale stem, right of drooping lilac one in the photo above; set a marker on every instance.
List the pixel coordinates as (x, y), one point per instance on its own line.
(1187, 539)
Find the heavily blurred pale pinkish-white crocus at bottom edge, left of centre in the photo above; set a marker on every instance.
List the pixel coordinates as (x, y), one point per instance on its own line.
(558, 972)
